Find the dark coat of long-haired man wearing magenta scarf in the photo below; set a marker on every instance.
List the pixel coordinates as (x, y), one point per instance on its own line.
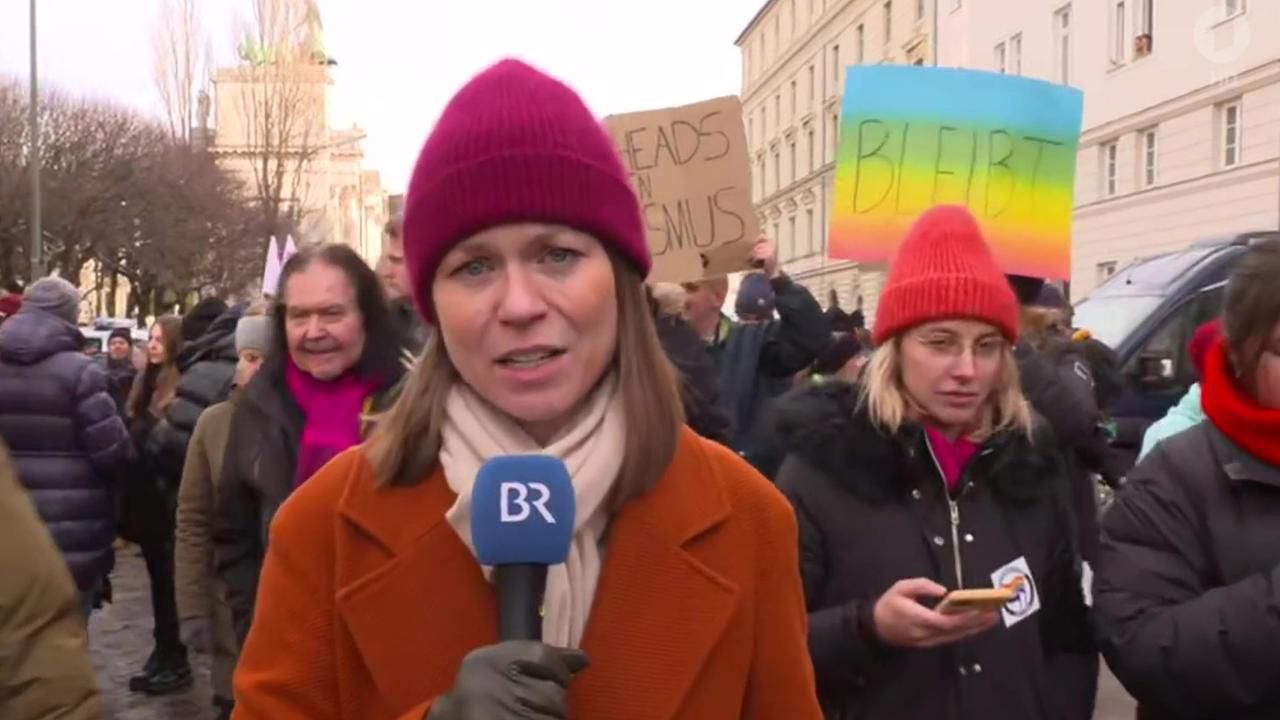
(260, 462)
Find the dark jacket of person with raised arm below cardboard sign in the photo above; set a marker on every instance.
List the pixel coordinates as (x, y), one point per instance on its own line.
(756, 362)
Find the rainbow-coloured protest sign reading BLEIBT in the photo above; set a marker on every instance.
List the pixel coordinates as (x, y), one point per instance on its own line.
(913, 138)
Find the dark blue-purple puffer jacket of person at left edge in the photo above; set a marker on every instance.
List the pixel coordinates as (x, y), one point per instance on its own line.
(65, 434)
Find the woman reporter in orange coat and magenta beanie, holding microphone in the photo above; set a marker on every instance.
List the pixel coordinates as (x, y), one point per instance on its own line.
(680, 599)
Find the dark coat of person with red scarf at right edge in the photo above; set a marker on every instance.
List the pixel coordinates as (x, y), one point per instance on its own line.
(1187, 594)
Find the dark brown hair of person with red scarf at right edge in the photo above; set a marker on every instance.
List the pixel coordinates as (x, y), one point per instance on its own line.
(1252, 307)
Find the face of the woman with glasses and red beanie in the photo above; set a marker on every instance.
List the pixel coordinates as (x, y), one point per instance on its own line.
(950, 370)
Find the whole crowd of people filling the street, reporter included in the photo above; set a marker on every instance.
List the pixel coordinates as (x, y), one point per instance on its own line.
(771, 509)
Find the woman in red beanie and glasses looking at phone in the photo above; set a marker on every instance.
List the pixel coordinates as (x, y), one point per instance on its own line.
(927, 479)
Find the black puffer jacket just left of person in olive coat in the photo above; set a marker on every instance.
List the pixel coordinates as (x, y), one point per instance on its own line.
(208, 368)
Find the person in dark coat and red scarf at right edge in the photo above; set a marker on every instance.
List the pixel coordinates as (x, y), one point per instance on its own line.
(1188, 584)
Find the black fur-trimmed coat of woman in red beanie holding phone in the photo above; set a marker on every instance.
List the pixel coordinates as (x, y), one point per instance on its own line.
(874, 511)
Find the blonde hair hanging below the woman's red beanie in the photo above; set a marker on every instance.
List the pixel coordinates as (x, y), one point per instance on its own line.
(885, 397)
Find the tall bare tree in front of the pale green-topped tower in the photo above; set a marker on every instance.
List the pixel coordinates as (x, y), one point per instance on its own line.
(281, 90)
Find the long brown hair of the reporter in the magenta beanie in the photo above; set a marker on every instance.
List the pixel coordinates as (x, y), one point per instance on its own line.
(405, 445)
